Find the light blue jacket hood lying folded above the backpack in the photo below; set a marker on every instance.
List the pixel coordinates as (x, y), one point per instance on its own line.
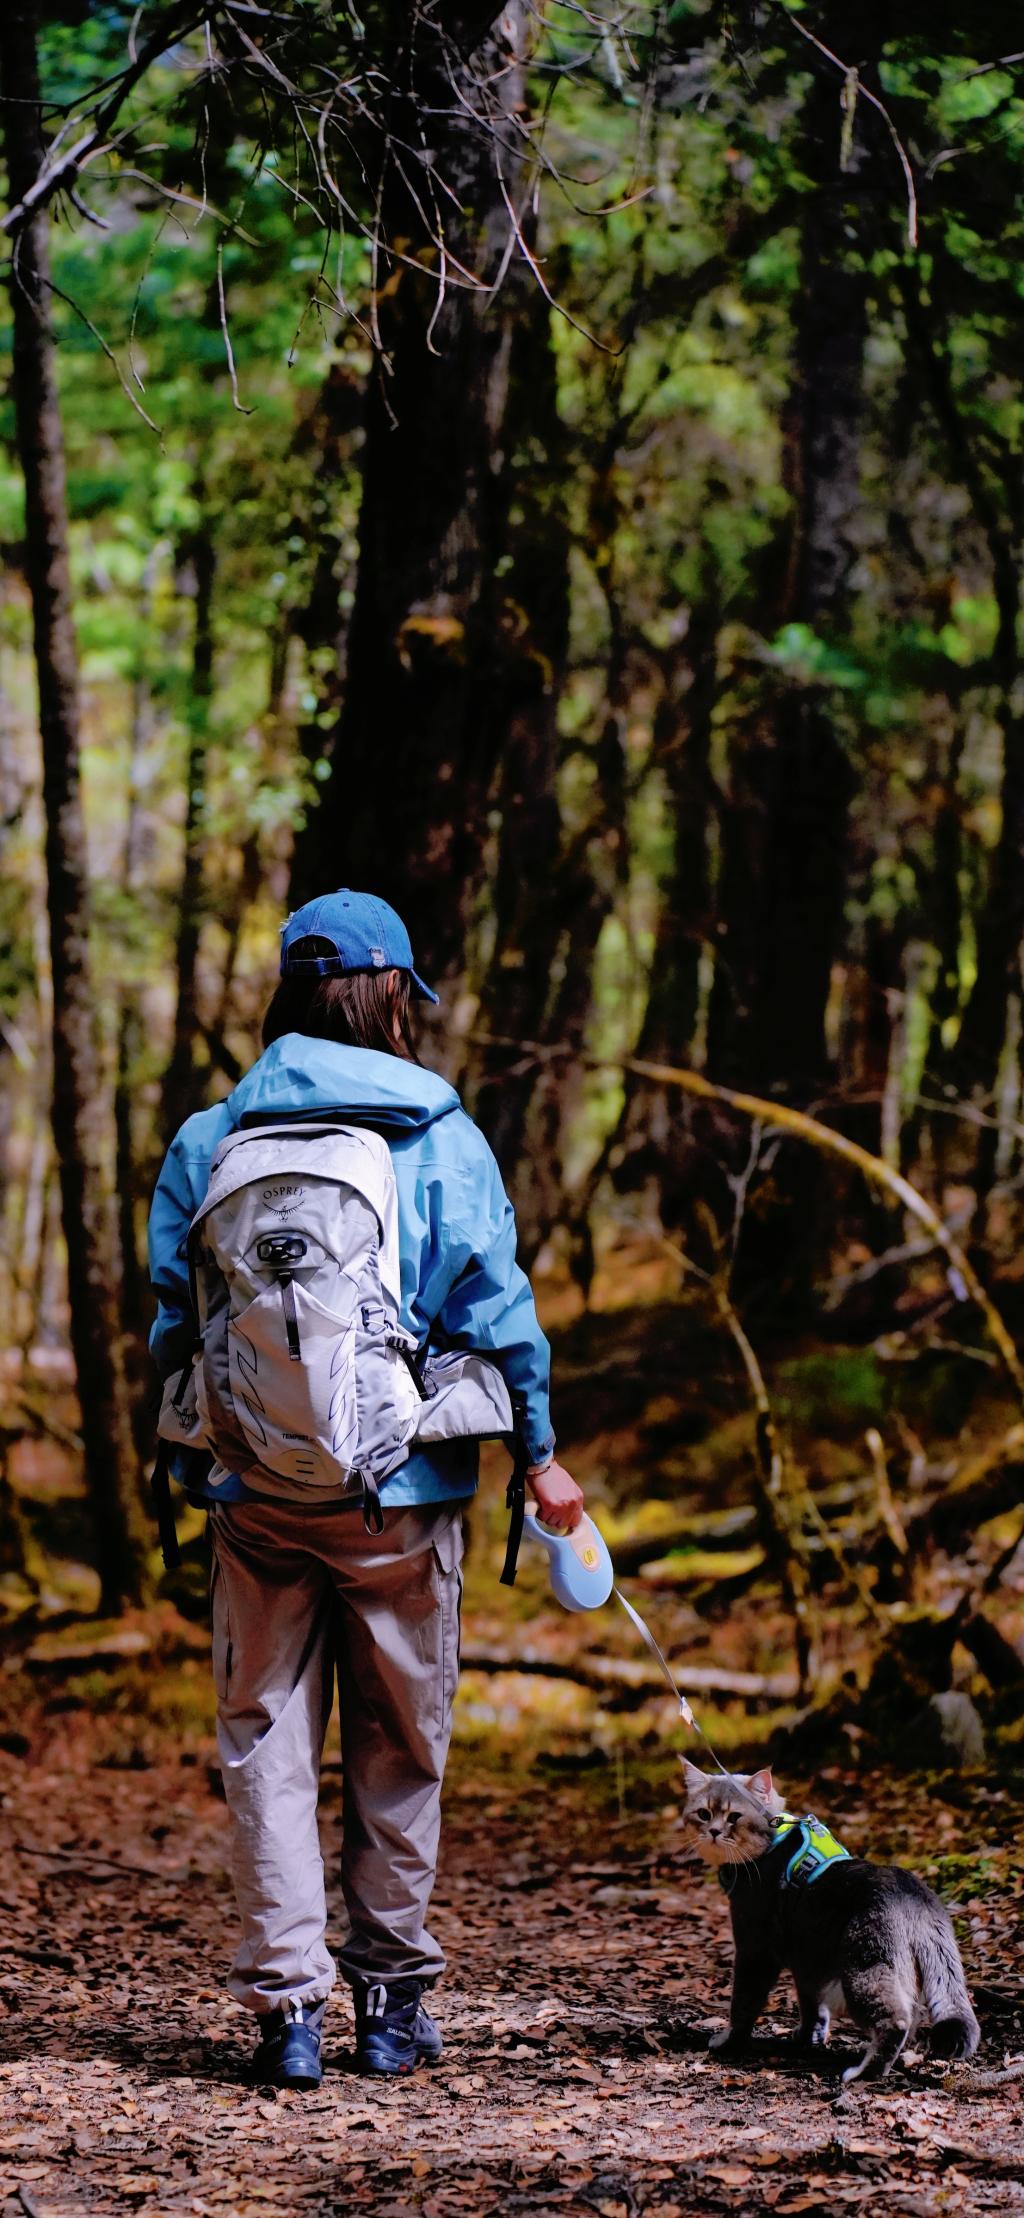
(300, 1077)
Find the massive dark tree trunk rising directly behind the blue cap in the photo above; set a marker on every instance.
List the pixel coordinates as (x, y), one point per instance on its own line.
(451, 669)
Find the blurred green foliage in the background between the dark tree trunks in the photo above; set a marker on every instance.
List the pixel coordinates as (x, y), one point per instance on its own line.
(679, 241)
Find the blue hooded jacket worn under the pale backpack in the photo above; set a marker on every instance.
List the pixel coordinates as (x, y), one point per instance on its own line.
(458, 1234)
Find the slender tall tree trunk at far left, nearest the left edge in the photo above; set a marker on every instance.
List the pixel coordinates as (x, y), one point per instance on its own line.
(81, 1110)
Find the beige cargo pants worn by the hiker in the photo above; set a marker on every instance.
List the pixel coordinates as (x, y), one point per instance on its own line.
(300, 1594)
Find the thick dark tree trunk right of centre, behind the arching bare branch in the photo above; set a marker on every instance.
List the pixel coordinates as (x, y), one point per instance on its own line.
(784, 817)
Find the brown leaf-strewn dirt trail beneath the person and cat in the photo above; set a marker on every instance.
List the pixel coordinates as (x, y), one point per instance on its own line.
(586, 1962)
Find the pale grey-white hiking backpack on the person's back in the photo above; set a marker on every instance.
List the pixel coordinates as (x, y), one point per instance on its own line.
(303, 1376)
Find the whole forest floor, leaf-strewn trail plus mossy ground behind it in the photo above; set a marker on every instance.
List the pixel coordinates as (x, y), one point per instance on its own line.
(588, 1955)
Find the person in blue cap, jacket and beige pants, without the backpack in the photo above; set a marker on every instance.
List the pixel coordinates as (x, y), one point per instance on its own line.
(303, 1587)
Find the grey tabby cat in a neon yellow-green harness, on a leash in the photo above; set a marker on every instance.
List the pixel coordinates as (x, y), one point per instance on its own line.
(859, 1935)
